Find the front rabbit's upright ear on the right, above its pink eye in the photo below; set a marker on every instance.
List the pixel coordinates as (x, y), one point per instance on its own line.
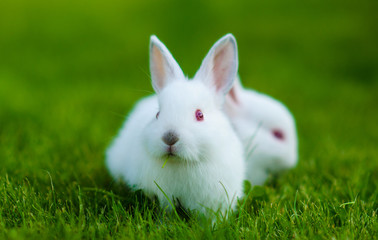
(218, 69)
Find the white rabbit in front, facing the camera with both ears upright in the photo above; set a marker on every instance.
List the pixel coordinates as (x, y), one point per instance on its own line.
(185, 128)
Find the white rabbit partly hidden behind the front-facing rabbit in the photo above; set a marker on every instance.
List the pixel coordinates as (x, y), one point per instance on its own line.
(267, 130)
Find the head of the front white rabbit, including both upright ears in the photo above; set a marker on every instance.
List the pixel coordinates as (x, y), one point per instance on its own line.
(189, 122)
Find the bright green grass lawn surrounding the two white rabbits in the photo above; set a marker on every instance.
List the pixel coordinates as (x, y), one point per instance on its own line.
(71, 70)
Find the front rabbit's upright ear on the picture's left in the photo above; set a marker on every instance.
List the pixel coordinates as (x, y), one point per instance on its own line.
(163, 66)
